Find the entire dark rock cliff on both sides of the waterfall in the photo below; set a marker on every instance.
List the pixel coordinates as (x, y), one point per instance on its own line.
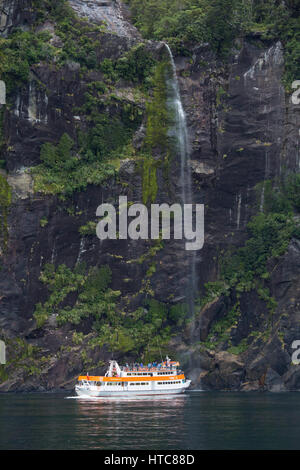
(243, 132)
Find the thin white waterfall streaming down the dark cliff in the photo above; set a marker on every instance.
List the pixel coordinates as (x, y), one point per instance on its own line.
(180, 133)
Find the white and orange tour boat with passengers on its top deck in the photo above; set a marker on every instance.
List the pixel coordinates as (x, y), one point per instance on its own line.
(155, 379)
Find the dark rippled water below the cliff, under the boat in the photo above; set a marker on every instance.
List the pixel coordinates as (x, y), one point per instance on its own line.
(197, 420)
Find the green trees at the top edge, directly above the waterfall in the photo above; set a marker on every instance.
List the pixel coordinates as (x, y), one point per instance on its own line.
(187, 21)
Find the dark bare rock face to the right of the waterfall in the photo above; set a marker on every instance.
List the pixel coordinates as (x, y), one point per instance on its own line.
(243, 130)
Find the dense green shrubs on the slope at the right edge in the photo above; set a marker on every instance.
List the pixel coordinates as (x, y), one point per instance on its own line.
(269, 235)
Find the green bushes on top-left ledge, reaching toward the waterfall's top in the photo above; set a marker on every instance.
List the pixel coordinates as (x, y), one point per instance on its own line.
(80, 41)
